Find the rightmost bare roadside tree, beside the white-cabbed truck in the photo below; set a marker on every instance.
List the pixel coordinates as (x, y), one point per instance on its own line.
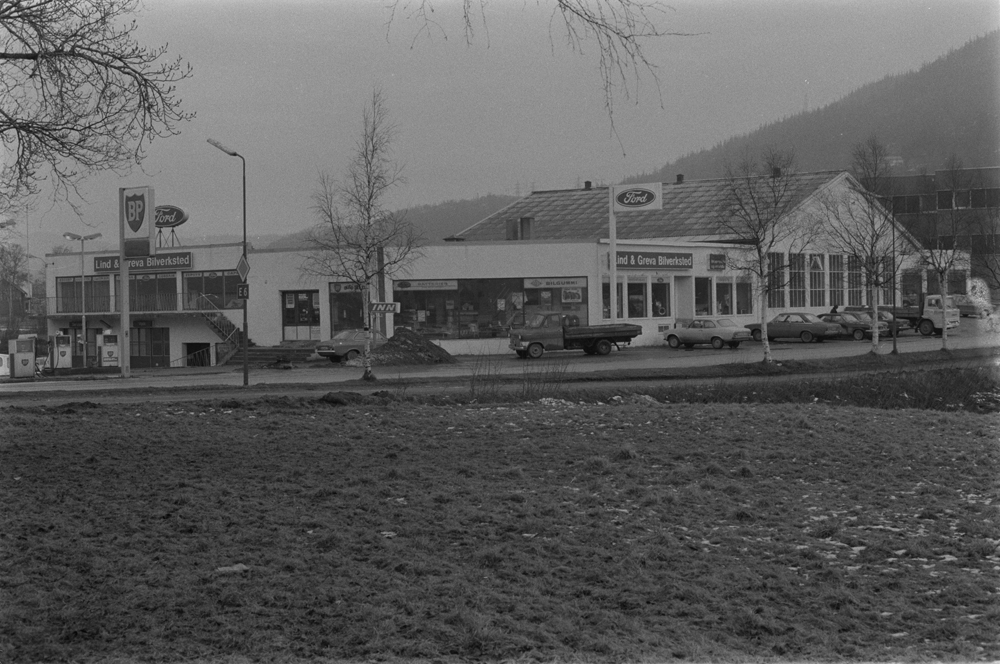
(942, 237)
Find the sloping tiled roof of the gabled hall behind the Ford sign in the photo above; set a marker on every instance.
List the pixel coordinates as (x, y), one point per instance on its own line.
(691, 211)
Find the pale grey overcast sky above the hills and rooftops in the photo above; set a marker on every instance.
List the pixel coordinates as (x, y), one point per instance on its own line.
(284, 83)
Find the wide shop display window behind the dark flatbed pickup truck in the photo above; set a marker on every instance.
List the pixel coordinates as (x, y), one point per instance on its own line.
(483, 308)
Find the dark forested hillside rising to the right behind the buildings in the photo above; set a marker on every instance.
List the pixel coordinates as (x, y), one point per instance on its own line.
(949, 106)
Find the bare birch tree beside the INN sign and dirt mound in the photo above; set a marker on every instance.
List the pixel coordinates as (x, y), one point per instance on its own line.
(358, 240)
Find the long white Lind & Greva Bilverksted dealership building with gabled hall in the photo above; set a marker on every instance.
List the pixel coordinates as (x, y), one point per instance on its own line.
(549, 251)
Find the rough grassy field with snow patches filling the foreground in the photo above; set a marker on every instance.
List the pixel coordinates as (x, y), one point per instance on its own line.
(700, 524)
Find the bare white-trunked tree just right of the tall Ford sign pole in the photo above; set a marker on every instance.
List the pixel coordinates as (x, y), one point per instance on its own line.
(757, 215)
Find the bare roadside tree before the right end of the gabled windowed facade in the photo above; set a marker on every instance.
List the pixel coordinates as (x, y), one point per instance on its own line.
(859, 223)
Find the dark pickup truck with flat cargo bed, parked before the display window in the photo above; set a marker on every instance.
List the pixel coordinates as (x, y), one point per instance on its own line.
(555, 331)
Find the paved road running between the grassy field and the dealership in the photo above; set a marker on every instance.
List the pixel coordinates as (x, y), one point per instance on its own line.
(323, 376)
